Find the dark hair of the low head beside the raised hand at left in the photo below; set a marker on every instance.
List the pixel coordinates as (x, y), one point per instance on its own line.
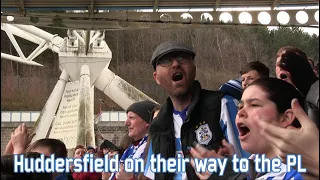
(55, 146)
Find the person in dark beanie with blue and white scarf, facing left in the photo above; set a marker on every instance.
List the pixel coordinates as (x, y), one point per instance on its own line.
(138, 118)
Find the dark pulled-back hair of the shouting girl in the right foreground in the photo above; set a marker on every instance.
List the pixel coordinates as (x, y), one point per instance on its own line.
(281, 93)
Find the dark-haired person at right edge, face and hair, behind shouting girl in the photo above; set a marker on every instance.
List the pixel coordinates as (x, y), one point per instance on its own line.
(292, 65)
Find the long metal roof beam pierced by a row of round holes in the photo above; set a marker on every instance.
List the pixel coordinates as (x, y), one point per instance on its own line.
(134, 20)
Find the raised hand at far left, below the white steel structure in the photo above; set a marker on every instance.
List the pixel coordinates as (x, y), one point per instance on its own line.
(20, 139)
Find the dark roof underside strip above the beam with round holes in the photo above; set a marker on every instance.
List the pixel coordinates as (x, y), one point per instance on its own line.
(23, 5)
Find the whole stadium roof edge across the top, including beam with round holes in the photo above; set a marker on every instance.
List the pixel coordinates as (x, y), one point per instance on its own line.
(131, 14)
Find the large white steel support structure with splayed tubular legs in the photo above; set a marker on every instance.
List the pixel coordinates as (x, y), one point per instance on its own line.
(84, 56)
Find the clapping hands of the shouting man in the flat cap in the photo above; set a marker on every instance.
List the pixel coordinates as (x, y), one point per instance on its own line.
(201, 152)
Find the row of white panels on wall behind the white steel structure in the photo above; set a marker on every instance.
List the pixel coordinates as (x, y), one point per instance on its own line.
(32, 116)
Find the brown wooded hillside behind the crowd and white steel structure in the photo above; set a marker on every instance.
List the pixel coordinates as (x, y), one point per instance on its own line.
(221, 53)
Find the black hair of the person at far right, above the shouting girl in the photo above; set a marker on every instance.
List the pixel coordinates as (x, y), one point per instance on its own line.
(296, 63)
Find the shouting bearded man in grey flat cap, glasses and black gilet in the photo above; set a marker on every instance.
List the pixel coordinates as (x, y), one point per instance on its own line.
(190, 113)
